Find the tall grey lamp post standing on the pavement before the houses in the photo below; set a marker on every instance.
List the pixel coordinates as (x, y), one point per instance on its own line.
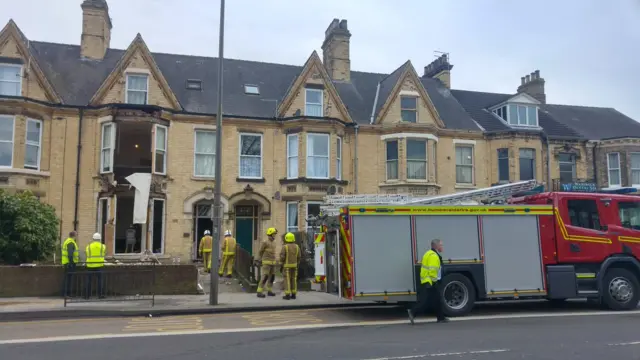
(217, 206)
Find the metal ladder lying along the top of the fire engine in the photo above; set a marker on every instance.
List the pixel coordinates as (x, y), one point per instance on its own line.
(332, 203)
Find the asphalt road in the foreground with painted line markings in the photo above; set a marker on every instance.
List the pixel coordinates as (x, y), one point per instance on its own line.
(522, 331)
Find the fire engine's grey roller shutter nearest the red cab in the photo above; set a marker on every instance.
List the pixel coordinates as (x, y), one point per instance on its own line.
(512, 255)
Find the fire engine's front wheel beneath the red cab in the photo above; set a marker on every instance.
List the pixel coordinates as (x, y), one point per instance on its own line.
(620, 290)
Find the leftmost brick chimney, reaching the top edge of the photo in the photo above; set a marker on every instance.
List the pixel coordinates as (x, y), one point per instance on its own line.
(96, 29)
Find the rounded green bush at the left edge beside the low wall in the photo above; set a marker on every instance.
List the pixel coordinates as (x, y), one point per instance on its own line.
(28, 228)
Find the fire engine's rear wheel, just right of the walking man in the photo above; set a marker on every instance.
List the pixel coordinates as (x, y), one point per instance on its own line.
(458, 295)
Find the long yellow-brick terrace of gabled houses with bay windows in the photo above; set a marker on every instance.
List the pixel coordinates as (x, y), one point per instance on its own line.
(76, 121)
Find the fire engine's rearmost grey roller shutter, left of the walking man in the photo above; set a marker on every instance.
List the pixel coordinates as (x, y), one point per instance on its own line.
(382, 258)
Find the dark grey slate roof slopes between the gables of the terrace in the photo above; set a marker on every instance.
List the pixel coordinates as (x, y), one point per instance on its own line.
(76, 80)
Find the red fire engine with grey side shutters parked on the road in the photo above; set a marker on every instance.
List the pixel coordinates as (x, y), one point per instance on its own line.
(553, 245)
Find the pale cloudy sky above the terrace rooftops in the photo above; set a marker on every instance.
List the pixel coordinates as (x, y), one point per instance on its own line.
(588, 51)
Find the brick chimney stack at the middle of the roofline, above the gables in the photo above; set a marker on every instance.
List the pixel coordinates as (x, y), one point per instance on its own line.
(335, 50)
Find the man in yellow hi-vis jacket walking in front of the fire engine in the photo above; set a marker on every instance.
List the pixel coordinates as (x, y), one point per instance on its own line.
(430, 275)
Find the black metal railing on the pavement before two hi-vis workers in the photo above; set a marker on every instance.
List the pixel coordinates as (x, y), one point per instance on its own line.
(121, 281)
